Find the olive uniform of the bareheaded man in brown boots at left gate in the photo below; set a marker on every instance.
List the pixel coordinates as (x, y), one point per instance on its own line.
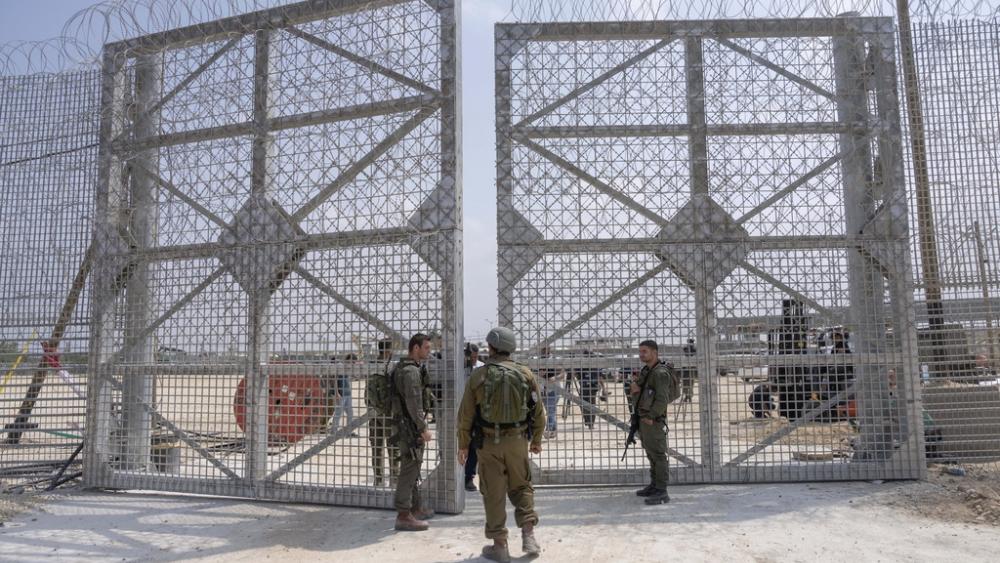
(409, 421)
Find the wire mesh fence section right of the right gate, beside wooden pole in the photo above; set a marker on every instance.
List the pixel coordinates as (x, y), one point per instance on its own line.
(959, 69)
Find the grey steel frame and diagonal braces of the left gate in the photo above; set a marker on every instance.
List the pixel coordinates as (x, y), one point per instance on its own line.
(435, 237)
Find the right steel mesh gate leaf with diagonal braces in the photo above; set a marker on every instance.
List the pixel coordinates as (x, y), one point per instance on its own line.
(738, 183)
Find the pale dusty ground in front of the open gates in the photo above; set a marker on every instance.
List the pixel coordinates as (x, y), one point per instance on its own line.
(944, 518)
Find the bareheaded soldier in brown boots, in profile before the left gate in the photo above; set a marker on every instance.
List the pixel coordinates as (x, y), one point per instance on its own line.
(409, 418)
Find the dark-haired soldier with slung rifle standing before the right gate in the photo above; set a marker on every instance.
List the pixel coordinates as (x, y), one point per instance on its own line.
(651, 394)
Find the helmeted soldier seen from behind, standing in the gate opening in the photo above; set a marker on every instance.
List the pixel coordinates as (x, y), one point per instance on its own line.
(502, 400)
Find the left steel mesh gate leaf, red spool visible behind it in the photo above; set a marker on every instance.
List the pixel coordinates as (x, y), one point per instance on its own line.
(278, 191)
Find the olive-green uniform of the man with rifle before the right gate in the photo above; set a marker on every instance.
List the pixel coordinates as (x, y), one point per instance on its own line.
(652, 405)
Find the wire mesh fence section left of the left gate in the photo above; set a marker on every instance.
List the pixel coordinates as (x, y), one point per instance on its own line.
(48, 155)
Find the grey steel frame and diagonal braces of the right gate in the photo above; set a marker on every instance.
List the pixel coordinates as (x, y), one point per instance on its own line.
(881, 239)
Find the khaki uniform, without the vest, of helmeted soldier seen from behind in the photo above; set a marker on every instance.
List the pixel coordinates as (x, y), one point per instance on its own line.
(503, 460)
